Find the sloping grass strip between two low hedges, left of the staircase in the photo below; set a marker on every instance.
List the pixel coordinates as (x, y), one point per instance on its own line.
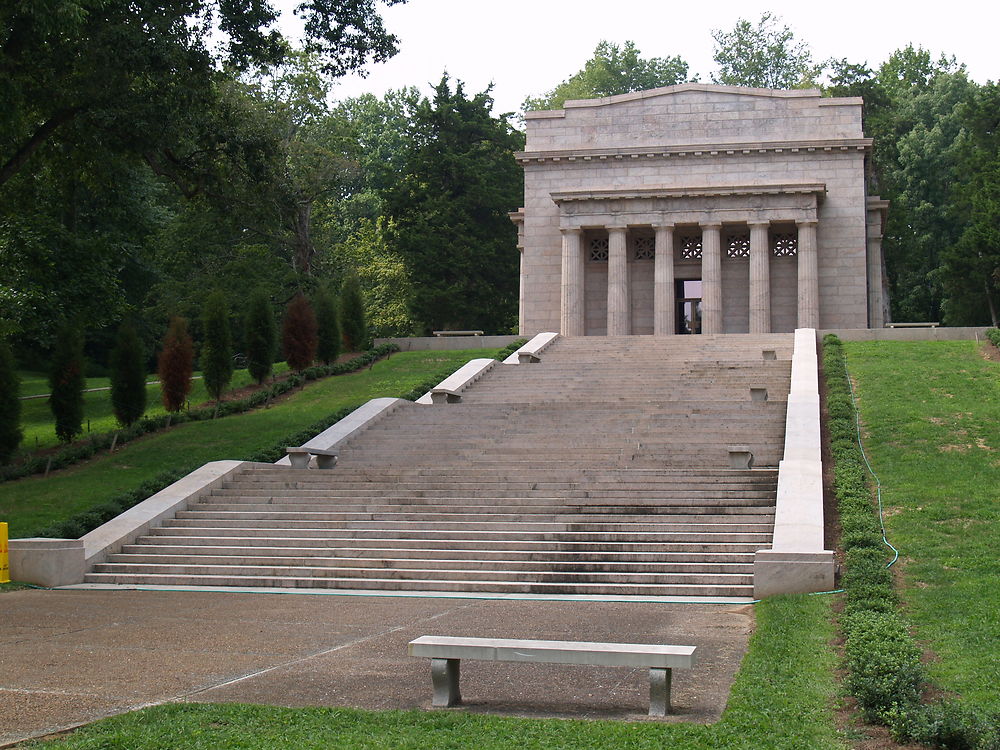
(33, 503)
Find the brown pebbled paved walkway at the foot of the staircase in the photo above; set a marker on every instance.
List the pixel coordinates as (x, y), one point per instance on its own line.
(69, 657)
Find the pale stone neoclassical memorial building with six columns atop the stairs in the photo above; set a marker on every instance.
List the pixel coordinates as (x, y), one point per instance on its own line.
(699, 209)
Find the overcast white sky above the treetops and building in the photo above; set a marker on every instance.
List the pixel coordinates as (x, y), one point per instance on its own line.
(525, 47)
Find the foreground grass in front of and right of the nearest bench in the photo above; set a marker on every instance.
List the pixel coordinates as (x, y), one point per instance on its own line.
(781, 699)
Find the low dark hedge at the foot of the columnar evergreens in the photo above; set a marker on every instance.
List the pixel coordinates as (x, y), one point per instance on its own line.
(84, 449)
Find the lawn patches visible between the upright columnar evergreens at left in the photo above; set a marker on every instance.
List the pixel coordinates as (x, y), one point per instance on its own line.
(36, 417)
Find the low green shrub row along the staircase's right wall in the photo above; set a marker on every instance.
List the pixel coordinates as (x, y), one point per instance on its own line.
(885, 673)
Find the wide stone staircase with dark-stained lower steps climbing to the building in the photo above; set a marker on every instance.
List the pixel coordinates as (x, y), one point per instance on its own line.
(604, 469)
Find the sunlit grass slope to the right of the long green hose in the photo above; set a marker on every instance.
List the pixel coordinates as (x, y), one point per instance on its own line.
(931, 414)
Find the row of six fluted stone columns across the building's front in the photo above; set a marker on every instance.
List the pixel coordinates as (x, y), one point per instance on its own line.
(572, 310)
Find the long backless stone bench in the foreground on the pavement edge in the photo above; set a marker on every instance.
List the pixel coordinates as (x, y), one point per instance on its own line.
(446, 653)
